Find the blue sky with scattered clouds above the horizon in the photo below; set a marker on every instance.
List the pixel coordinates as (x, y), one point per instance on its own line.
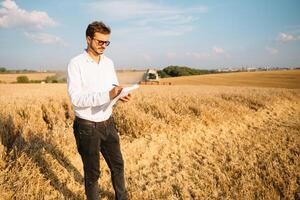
(202, 34)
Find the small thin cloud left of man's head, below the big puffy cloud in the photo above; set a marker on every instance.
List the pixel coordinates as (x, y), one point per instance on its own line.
(45, 38)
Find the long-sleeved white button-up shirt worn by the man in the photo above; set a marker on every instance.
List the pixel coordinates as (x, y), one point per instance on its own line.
(89, 84)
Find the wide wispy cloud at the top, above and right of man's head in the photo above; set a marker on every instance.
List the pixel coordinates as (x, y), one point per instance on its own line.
(149, 17)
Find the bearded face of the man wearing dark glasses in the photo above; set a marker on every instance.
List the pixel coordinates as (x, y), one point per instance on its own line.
(98, 42)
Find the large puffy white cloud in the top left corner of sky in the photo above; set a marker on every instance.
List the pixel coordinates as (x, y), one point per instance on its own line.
(11, 16)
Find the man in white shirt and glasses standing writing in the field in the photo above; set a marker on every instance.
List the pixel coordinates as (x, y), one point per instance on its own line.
(92, 83)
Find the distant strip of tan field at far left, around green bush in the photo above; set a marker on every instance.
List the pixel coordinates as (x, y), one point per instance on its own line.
(9, 78)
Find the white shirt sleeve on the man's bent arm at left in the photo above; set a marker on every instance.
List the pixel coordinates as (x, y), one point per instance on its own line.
(78, 97)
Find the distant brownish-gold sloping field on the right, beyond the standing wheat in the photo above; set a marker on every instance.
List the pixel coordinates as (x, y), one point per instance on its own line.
(278, 79)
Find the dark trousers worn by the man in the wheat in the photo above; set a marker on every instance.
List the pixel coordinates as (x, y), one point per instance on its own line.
(91, 138)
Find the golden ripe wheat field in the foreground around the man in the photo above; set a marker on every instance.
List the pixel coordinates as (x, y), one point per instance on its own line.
(178, 142)
